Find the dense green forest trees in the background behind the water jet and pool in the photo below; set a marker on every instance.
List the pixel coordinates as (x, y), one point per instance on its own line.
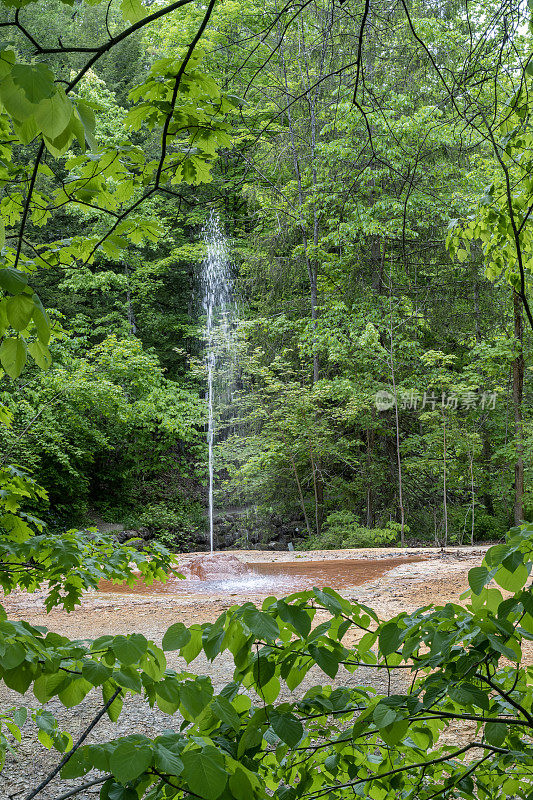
(367, 255)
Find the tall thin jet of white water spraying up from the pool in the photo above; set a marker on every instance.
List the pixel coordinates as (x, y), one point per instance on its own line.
(220, 349)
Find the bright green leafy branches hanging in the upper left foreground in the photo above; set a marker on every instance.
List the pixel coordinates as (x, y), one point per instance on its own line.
(47, 124)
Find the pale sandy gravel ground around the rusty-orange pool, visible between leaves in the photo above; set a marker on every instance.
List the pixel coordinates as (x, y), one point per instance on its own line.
(438, 578)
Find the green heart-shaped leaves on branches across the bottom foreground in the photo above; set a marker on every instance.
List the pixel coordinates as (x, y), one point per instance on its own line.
(252, 739)
